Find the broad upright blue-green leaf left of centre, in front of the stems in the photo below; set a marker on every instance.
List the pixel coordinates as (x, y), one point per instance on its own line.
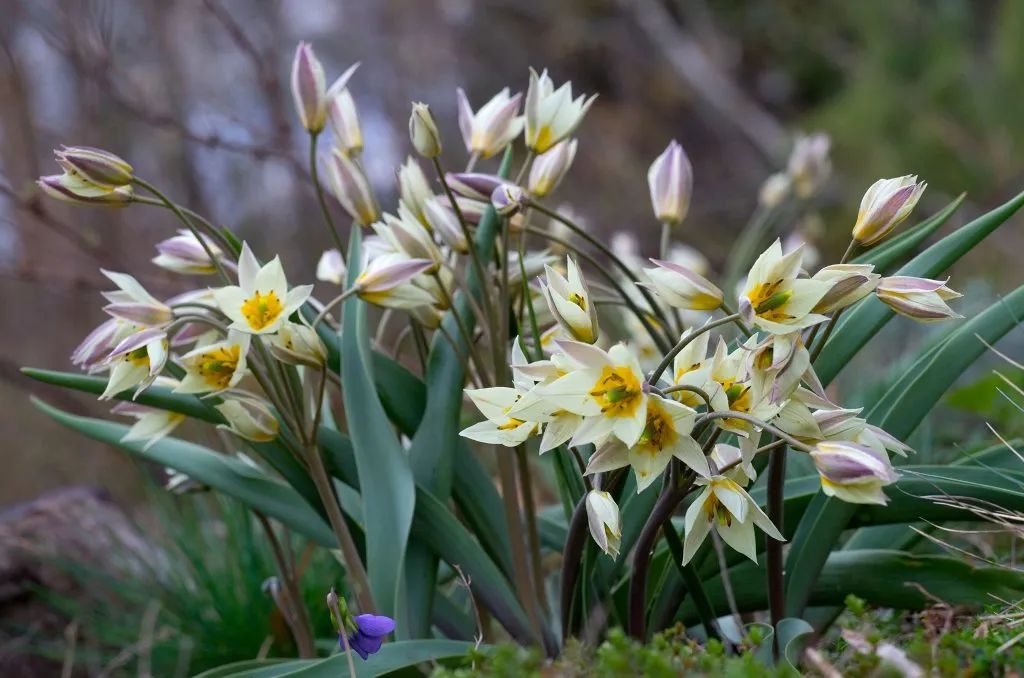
(381, 463)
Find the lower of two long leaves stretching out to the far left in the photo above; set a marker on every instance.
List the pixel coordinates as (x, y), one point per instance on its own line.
(227, 475)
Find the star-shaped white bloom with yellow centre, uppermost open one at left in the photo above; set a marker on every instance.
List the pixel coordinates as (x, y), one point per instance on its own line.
(262, 301)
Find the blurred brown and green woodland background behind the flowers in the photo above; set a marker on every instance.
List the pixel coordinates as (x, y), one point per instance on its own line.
(195, 94)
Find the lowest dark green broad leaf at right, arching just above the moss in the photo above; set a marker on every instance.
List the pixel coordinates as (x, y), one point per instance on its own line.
(883, 578)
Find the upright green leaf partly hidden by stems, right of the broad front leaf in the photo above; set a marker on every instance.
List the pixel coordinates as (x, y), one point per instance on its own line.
(433, 450)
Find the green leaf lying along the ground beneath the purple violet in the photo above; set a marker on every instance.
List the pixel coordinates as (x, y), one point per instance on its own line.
(392, 658)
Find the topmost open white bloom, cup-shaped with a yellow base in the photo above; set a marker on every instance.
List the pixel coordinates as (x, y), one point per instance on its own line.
(551, 114)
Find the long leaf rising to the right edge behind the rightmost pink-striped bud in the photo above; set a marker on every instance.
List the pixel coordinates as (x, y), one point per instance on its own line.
(860, 325)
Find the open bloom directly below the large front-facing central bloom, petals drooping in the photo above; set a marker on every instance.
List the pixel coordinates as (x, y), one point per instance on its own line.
(666, 435)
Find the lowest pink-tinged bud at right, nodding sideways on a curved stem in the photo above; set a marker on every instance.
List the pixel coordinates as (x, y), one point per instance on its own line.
(852, 473)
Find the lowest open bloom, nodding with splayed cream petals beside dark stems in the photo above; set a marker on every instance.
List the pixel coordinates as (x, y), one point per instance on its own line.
(726, 507)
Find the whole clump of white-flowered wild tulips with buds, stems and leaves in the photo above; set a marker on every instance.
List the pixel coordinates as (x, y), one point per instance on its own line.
(706, 473)
